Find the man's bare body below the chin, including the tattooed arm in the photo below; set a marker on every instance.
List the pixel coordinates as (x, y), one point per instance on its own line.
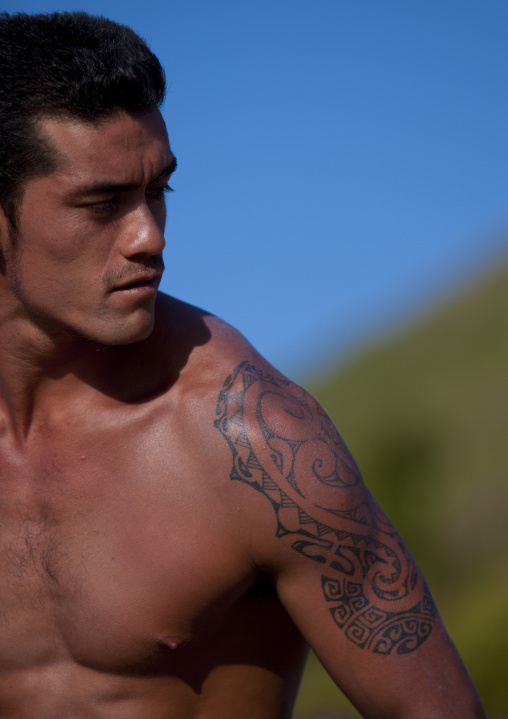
(138, 581)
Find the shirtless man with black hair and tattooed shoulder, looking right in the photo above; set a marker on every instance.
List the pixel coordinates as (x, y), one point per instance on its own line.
(177, 519)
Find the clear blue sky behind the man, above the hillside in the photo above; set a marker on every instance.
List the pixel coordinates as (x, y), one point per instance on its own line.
(342, 163)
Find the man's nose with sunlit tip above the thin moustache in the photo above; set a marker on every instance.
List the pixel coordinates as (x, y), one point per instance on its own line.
(141, 234)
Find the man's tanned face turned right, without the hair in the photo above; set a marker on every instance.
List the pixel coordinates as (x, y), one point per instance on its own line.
(87, 259)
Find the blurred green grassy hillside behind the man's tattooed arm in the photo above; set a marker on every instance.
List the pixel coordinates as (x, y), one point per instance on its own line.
(425, 413)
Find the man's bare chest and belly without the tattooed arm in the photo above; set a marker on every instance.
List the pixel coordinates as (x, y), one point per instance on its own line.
(126, 589)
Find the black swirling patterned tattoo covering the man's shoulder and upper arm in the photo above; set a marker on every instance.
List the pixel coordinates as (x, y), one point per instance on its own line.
(286, 447)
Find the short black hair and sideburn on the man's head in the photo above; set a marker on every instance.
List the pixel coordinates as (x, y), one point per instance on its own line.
(64, 64)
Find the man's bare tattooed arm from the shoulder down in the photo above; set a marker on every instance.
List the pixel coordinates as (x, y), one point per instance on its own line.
(341, 569)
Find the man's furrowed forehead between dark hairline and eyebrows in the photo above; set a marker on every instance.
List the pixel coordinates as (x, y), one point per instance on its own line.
(119, 148)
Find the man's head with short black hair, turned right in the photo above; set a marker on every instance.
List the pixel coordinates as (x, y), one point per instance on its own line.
(84, 162)
